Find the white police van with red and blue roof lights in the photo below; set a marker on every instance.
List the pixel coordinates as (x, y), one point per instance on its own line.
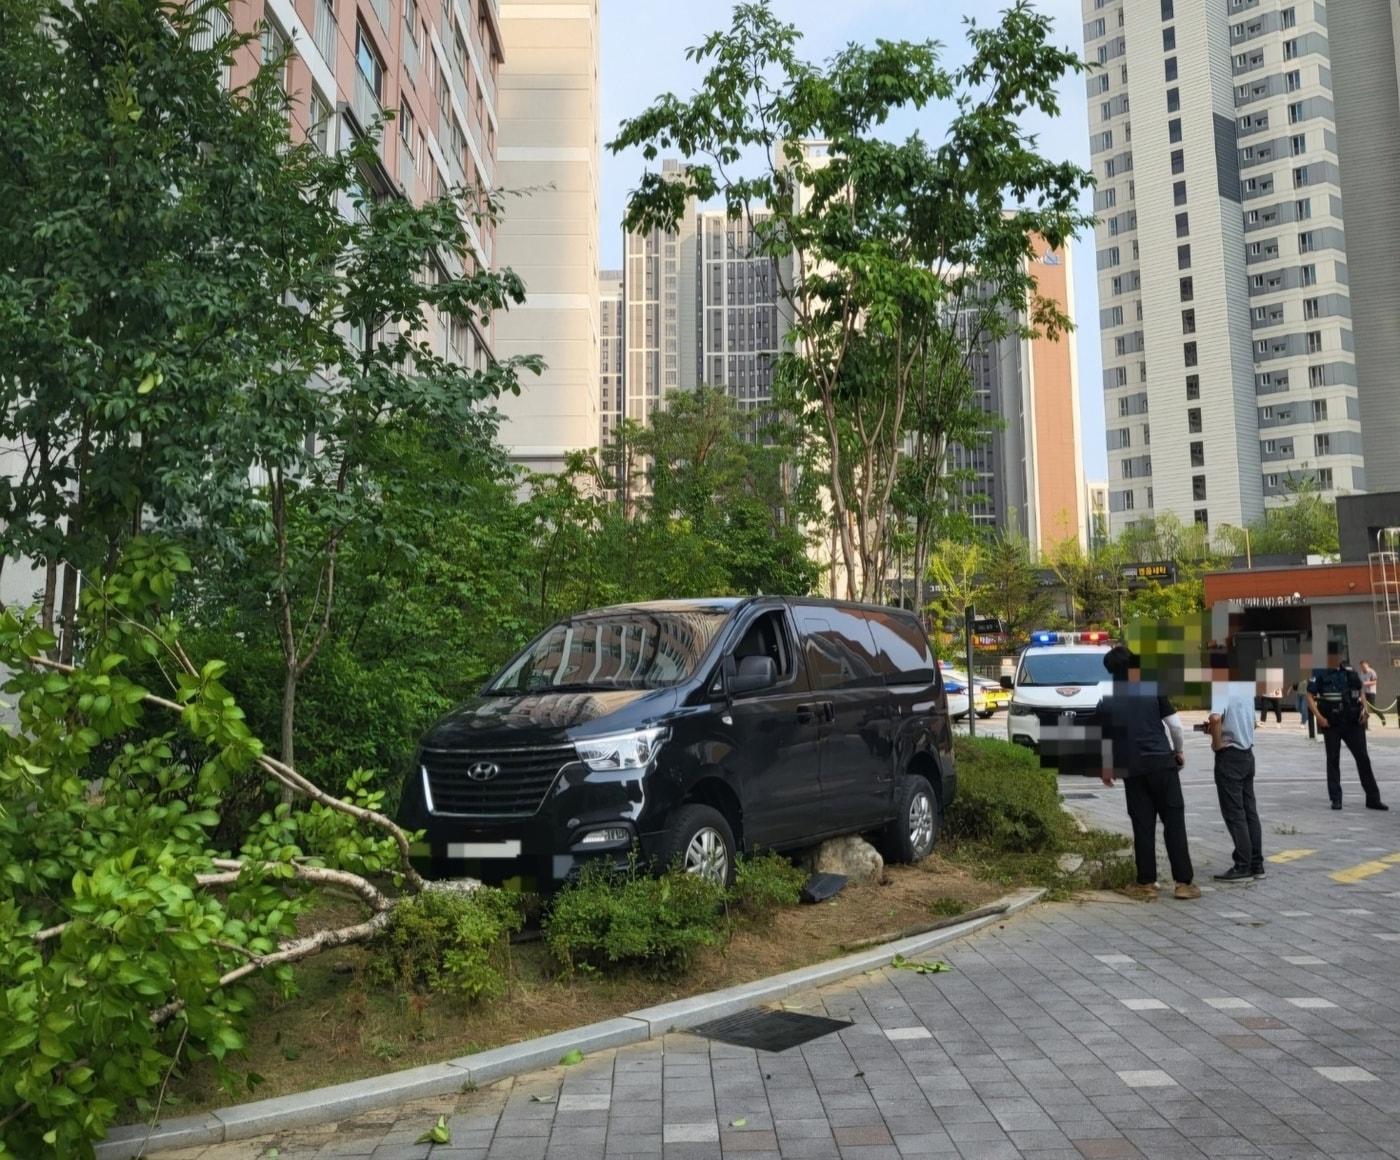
(1055, 698)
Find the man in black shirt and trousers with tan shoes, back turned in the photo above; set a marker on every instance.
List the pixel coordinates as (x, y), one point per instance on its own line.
(1143, 744)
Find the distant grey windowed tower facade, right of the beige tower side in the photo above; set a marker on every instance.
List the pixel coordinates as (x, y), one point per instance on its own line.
(740, 335)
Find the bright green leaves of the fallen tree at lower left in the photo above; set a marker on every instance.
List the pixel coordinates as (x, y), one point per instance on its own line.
(104, 833)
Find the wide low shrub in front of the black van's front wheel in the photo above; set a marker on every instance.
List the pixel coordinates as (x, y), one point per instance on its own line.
(610, 921)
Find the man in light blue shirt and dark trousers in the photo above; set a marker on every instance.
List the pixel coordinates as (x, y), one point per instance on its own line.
(1231, 728)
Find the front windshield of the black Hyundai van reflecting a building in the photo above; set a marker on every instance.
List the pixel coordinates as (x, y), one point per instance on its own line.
(631, 650)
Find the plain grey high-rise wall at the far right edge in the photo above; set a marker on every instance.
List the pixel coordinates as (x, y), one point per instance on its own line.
(1366, 34)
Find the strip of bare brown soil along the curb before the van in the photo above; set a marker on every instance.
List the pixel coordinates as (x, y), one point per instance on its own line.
(341, 1028)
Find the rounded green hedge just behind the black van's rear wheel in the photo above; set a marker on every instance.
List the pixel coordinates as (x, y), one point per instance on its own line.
(1006, 800)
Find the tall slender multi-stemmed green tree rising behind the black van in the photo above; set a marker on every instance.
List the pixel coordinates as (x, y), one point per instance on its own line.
(885, 244)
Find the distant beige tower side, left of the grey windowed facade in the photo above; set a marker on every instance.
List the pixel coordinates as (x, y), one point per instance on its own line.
(660, 330)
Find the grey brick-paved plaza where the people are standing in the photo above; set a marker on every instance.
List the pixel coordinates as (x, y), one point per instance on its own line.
(1262, 1021)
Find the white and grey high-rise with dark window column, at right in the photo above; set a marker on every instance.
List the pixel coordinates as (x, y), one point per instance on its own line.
(1226, 311)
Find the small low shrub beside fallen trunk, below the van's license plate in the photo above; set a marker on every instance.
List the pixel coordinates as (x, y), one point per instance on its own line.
(450, 941)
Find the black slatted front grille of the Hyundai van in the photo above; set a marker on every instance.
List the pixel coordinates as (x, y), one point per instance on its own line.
(519, 790)
